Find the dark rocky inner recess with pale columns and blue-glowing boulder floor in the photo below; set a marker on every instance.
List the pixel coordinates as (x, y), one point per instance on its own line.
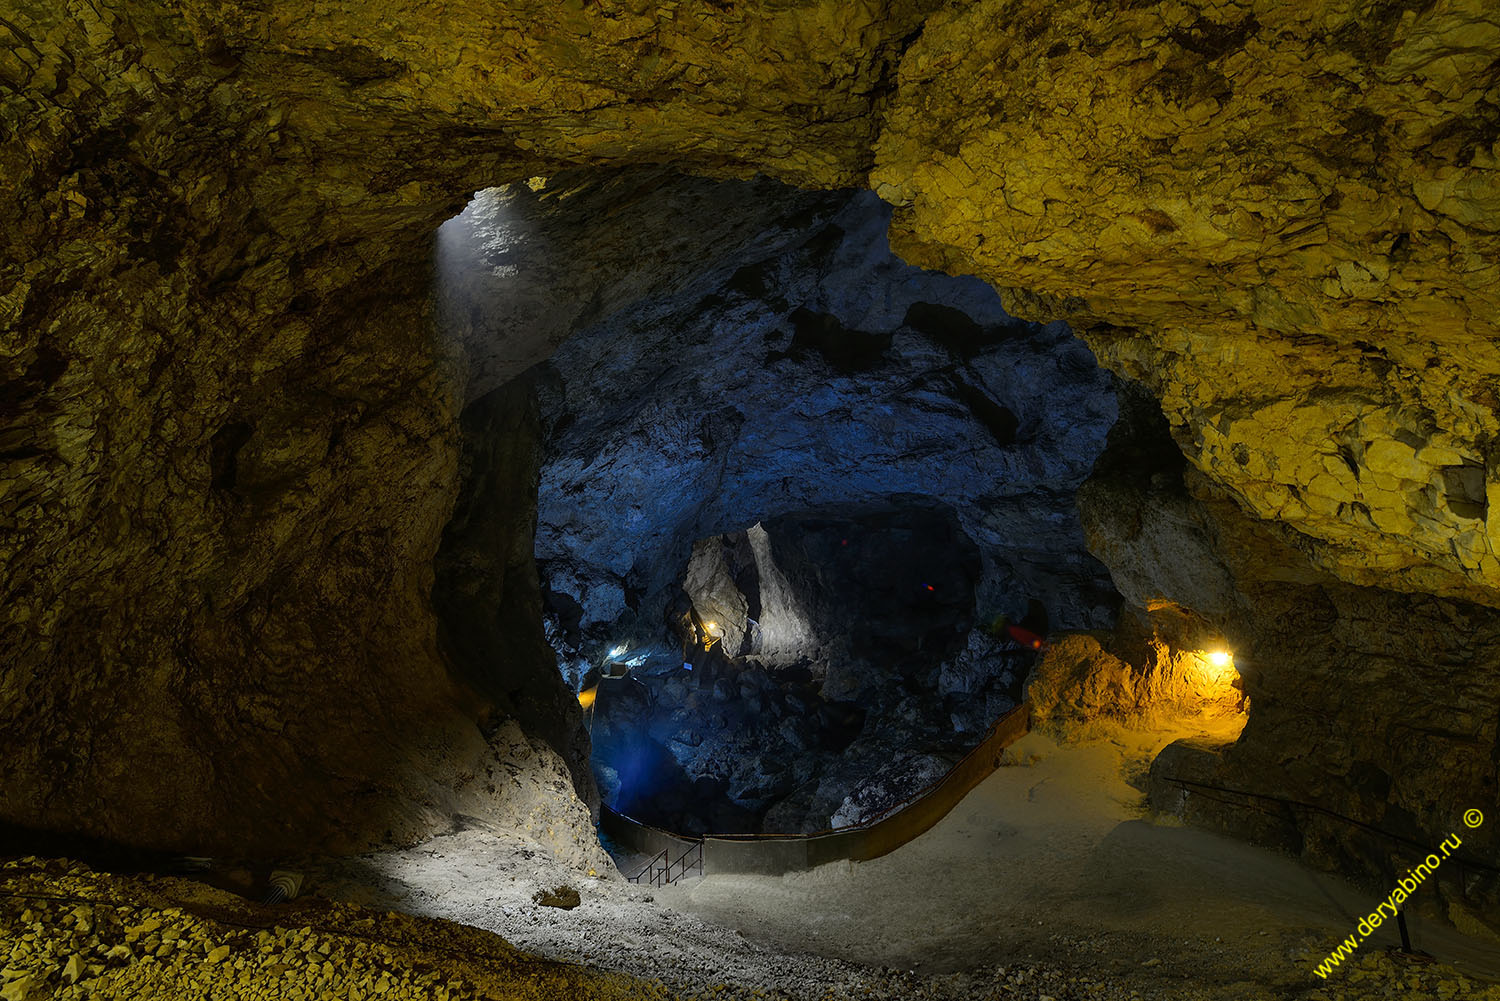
(824, 682)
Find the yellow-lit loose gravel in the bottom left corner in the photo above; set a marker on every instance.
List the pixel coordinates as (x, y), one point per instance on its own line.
(70, 934)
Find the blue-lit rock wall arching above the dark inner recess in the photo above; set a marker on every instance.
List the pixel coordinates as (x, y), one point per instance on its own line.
(826, 373)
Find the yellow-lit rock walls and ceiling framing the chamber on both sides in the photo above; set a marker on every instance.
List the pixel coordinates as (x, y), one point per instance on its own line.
(232, 440)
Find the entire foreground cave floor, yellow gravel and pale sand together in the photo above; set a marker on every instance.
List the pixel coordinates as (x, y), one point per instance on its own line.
(1046, 883)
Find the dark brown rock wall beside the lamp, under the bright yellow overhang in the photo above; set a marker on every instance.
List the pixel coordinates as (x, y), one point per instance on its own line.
(1366, 703)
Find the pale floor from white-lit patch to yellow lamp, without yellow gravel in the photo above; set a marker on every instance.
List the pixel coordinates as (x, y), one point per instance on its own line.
(1048, 882)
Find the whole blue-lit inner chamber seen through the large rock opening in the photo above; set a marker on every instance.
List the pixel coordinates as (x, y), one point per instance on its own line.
(814, 475)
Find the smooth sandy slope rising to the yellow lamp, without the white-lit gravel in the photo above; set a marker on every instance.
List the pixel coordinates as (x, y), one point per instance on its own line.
(1054, 862)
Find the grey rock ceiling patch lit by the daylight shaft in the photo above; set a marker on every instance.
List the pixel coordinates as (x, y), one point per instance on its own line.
(526, 266)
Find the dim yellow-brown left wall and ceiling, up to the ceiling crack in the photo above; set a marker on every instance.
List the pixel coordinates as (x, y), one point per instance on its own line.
(232, 434)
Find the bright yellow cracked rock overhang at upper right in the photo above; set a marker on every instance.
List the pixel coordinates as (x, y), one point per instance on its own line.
(1279, 217)
